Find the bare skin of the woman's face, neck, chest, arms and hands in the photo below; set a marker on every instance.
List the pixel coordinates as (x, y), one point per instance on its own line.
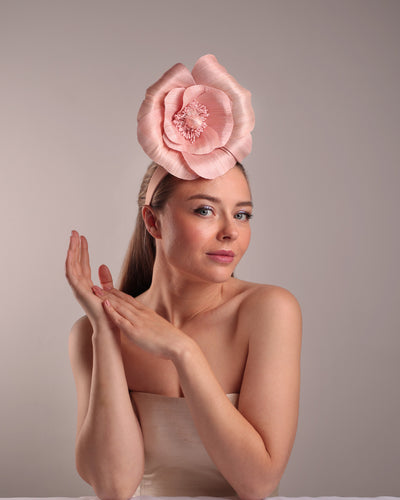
(196, 332)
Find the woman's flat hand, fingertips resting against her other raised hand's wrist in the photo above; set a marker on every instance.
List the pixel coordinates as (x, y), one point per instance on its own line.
(143, 326)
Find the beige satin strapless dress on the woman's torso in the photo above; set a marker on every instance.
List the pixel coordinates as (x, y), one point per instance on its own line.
(176, 462)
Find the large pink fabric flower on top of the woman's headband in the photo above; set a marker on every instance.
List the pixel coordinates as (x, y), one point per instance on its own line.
(196, 124)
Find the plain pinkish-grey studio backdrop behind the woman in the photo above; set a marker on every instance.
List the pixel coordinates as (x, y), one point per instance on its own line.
(325, 175)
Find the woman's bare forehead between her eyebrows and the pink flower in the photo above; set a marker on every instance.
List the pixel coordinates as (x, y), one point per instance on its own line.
(230, 186)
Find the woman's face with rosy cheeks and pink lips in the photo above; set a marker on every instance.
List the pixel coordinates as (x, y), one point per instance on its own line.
(205, 227)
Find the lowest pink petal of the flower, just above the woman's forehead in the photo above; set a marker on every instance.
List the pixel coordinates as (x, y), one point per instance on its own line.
(212, 165)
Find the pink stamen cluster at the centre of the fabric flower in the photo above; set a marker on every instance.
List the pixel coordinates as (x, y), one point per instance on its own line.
(191, 120)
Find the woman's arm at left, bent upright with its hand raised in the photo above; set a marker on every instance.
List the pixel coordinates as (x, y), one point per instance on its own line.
(109, 443)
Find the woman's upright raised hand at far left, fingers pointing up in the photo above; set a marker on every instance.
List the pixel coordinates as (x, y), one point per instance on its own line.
(78, 274)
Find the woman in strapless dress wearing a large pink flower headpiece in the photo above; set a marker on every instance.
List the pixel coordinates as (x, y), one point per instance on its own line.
(187, 377)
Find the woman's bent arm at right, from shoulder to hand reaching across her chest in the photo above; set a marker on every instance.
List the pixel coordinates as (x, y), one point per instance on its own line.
(250, 445)
